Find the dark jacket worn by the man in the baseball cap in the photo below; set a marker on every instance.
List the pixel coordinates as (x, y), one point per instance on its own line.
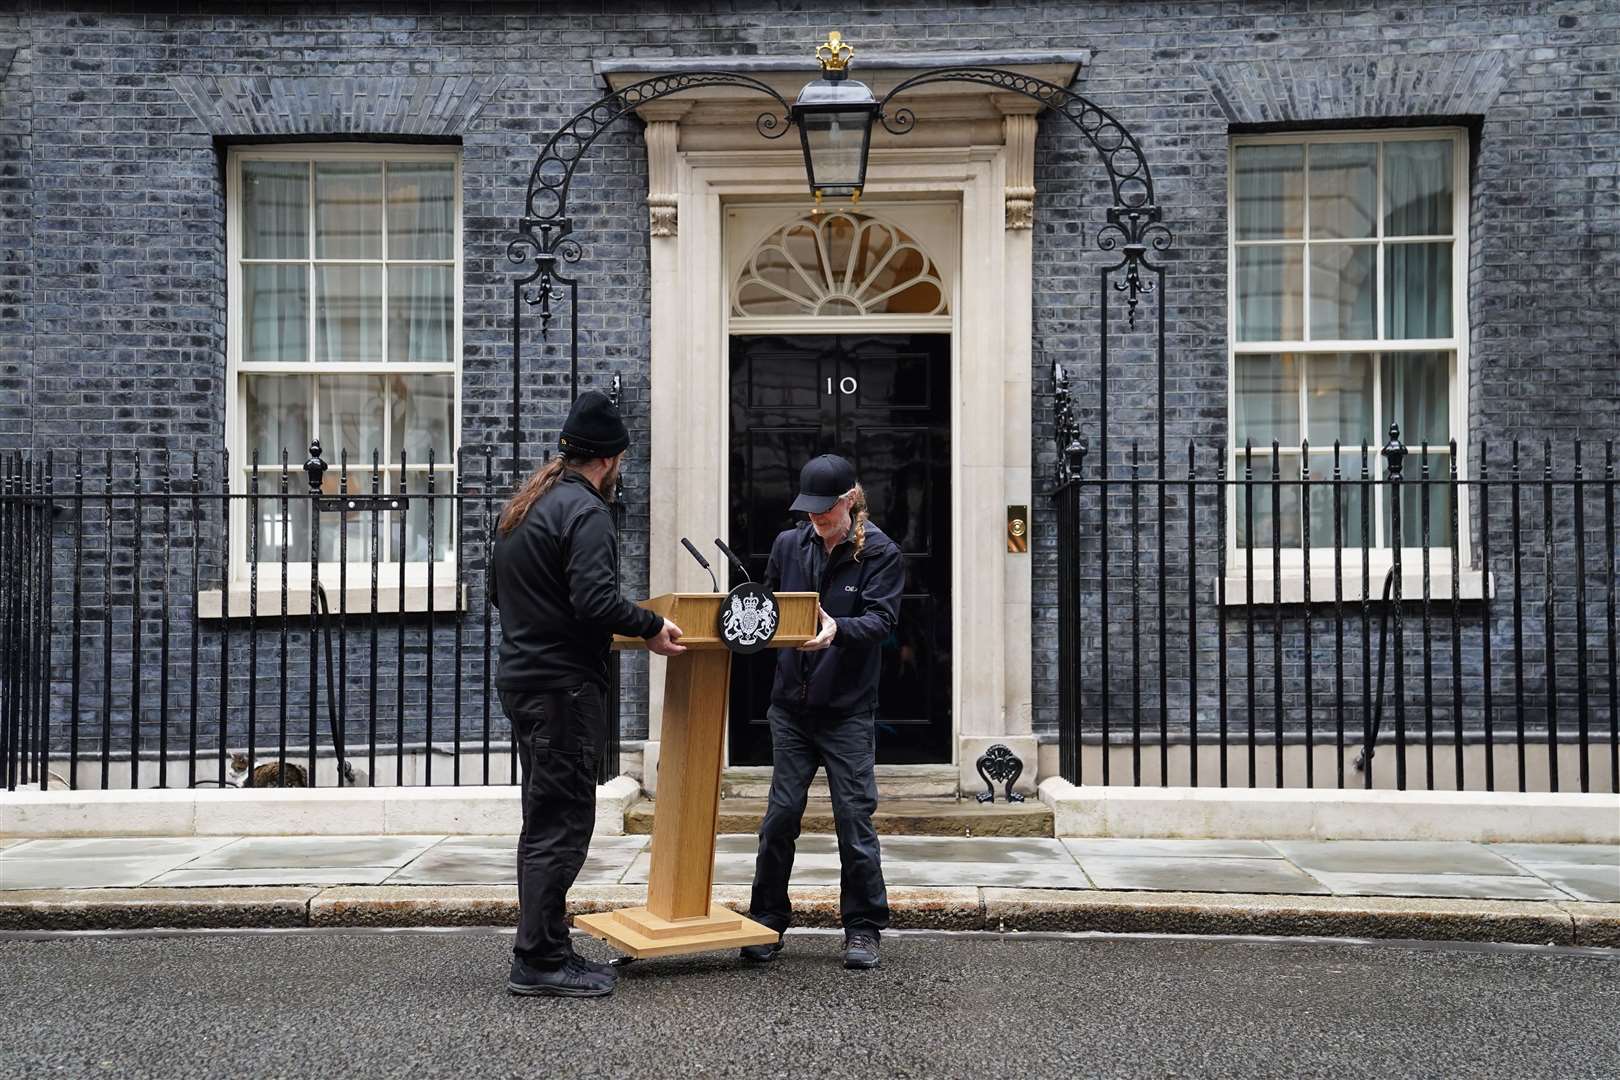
(863, 597)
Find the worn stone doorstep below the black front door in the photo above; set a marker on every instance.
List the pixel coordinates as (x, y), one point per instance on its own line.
(897, 817)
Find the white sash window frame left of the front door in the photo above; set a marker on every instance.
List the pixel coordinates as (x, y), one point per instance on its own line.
(359, 574)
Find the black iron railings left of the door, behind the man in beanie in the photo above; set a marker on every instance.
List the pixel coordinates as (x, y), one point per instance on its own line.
(313, 626)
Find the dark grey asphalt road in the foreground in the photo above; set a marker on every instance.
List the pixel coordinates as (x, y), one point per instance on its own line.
(432, 1005)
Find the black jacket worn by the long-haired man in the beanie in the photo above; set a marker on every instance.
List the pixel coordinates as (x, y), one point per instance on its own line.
(556, 582)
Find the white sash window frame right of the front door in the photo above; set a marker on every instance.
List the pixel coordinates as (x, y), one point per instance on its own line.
(1470, 584)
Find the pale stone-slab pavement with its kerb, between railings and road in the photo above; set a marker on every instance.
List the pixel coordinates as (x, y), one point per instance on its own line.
(1524, 893)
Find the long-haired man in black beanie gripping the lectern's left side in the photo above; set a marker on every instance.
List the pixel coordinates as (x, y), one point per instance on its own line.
(555, 576)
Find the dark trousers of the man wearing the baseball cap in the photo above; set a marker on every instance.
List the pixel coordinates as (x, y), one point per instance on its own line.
(846, 746)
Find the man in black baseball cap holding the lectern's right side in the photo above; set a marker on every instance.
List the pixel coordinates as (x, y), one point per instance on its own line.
(824, 704)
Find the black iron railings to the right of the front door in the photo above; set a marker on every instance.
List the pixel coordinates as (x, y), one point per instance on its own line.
(1345, 618)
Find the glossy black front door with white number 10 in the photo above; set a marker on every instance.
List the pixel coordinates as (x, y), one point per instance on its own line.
(882, 401)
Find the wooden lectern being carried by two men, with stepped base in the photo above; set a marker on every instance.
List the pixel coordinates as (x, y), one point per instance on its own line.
(680, 916)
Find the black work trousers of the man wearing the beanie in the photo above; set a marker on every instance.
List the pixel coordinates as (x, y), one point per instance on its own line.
(560, 736)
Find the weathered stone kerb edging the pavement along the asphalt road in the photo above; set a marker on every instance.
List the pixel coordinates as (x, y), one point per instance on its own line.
(947, 909)
